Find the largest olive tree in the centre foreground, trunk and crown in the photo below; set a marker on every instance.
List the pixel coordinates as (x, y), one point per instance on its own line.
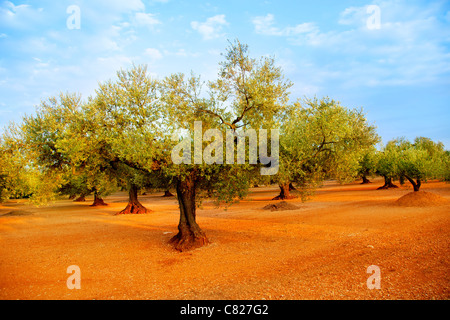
(248, 94)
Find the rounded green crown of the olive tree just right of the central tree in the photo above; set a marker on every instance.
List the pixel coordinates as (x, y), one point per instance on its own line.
(322, 139)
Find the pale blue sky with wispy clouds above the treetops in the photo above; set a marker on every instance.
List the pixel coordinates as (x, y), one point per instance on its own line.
(392, 58)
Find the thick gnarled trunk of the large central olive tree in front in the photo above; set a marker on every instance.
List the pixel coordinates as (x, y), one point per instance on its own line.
(189, 235)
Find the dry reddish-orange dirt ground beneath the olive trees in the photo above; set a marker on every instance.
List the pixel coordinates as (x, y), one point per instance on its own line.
(319, 251)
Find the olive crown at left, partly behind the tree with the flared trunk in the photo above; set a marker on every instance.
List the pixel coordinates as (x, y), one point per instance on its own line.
(56, 141)
